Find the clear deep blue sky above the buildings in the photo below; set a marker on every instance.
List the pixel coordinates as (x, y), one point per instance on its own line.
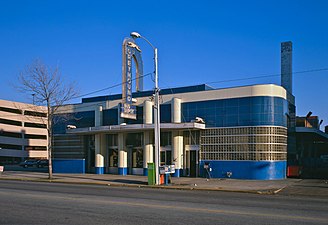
(198, 42)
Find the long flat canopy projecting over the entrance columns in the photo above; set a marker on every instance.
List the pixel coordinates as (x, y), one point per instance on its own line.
(135, 127)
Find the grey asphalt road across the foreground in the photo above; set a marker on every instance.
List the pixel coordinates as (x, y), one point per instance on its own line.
(52, 203)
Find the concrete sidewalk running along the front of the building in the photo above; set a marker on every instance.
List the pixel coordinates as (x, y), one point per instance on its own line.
(249, 186)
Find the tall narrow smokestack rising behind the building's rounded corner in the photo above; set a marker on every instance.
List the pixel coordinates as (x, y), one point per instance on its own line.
(286, 66)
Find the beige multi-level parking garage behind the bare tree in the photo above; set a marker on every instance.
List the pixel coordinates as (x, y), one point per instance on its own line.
(23, 132)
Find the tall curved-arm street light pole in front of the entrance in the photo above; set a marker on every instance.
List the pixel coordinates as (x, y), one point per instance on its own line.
(156, 108)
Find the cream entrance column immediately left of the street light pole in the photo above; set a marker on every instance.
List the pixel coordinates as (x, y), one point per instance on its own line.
(148, 145)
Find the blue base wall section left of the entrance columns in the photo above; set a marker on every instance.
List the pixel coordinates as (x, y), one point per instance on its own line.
(68, 165)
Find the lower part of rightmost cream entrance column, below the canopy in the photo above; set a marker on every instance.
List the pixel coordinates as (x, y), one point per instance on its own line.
(177, 154)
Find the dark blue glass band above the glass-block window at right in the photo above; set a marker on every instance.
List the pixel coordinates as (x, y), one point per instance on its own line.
(247, 111)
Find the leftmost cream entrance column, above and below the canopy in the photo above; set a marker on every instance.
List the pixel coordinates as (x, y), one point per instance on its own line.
(100, 143)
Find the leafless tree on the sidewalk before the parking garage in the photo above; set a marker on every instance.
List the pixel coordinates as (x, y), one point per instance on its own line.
(48, 89)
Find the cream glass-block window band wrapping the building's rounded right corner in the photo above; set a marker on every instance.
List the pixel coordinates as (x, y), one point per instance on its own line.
(245, 143)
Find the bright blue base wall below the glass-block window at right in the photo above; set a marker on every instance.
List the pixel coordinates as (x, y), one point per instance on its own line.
(253, 170)
